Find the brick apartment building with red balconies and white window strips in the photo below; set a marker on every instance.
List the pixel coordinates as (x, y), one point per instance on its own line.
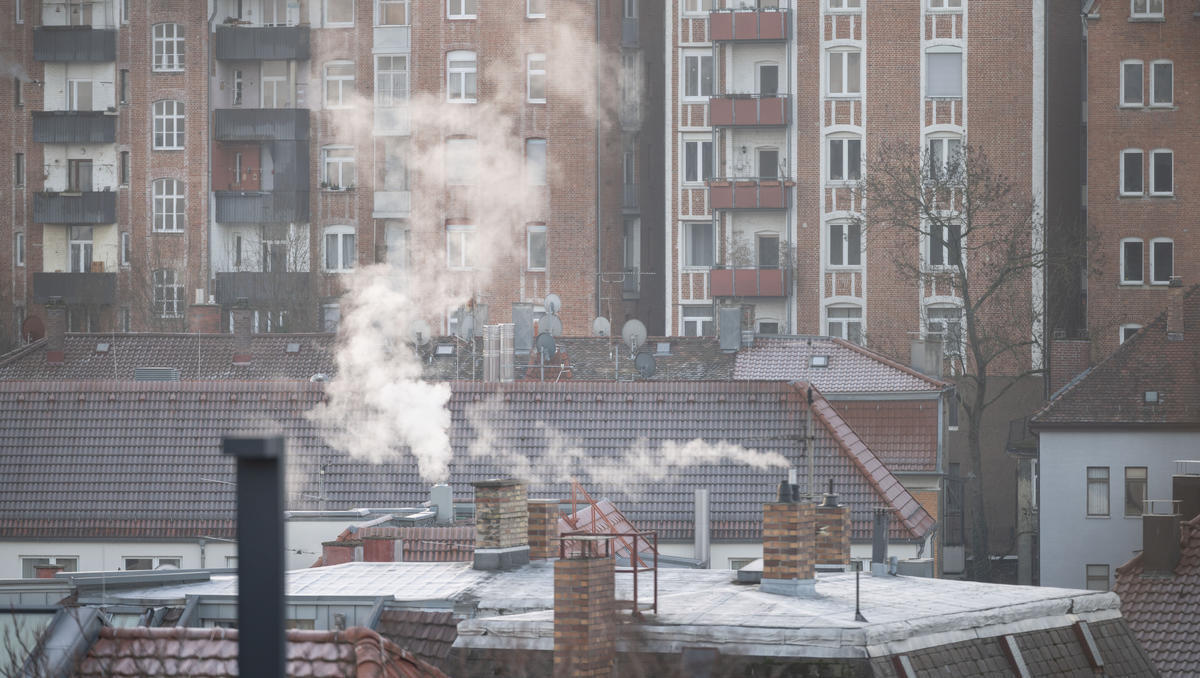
(777, 107)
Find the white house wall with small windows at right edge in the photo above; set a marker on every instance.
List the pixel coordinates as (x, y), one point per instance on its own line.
(1070, 539)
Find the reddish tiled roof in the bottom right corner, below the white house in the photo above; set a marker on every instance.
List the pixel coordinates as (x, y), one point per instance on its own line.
(1165, 613)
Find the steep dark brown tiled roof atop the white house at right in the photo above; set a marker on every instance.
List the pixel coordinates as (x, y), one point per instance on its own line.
(1114, 392)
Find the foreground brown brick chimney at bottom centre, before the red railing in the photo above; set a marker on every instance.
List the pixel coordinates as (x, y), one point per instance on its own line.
(585, 616)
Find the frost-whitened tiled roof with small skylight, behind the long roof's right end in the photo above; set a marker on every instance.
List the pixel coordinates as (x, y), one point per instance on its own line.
(853, 369)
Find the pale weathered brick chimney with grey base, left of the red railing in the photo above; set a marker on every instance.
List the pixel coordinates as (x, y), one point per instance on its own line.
(502, 525)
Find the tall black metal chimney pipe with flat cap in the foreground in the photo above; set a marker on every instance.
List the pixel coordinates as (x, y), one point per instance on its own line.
(261, 647)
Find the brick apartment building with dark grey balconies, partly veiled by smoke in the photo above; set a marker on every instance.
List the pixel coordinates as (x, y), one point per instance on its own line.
(172, 154)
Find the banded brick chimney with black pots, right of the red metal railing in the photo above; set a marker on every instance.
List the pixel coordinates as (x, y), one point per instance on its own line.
(789, 545)
